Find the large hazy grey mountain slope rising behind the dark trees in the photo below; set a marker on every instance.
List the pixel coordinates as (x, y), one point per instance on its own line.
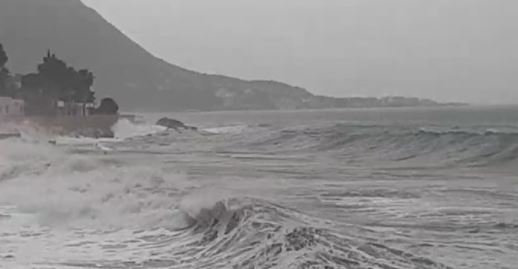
(123, 69)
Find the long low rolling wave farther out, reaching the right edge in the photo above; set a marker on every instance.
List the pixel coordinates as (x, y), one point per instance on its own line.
(440, 146)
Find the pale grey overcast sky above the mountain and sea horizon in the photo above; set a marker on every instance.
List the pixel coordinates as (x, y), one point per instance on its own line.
(458, 50)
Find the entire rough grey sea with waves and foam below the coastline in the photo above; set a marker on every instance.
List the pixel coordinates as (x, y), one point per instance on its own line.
(407, 188)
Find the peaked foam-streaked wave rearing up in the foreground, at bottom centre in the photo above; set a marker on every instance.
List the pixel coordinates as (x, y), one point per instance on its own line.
(251, 233)
